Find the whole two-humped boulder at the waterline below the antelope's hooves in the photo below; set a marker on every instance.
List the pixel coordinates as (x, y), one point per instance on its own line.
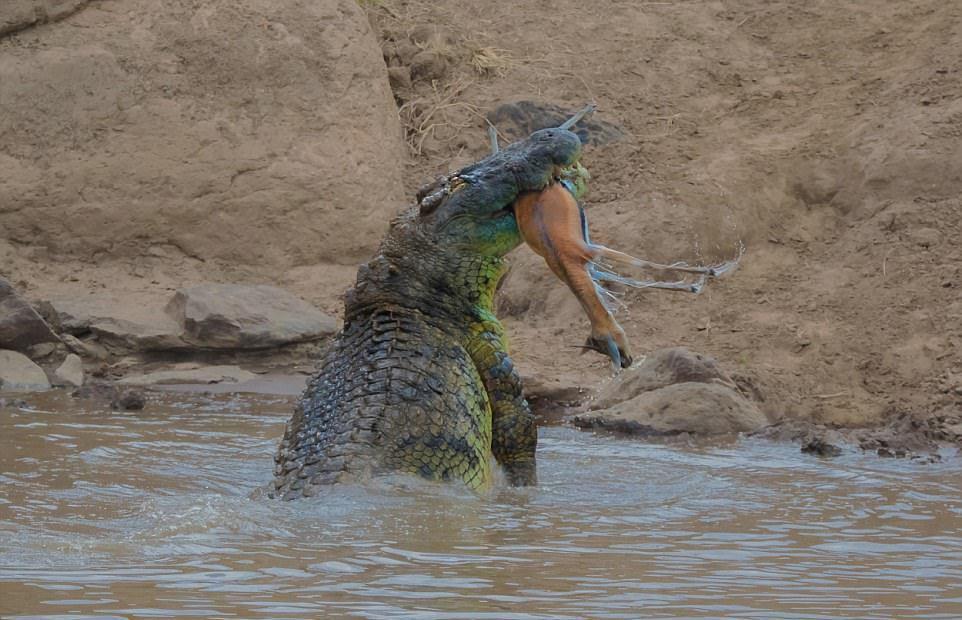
(672, 391)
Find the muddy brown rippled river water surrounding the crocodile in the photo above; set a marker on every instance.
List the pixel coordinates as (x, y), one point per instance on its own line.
(157, 514)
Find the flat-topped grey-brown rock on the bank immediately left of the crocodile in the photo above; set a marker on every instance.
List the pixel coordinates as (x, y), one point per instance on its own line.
(233, 316)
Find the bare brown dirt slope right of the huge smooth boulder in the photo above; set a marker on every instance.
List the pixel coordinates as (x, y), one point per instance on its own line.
(825, 138)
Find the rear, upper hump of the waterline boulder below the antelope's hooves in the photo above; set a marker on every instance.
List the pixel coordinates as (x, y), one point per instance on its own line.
(660, 369)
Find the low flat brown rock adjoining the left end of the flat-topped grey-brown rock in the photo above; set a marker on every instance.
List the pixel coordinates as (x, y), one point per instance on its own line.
(120, 325)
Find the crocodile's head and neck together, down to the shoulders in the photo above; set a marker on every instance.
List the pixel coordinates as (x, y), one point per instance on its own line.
(445, 254)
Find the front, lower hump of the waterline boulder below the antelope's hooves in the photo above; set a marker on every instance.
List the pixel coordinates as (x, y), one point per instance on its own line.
(695, 408)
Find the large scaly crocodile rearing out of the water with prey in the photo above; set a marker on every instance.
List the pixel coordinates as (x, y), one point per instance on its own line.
(419, 379)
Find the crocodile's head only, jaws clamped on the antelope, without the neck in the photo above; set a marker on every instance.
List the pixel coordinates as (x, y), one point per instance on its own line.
(472, 210)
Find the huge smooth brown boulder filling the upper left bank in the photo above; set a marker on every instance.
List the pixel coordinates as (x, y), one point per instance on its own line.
(246, 132)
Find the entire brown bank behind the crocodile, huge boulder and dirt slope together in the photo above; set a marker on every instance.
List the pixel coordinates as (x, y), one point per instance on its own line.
(147, 148)
